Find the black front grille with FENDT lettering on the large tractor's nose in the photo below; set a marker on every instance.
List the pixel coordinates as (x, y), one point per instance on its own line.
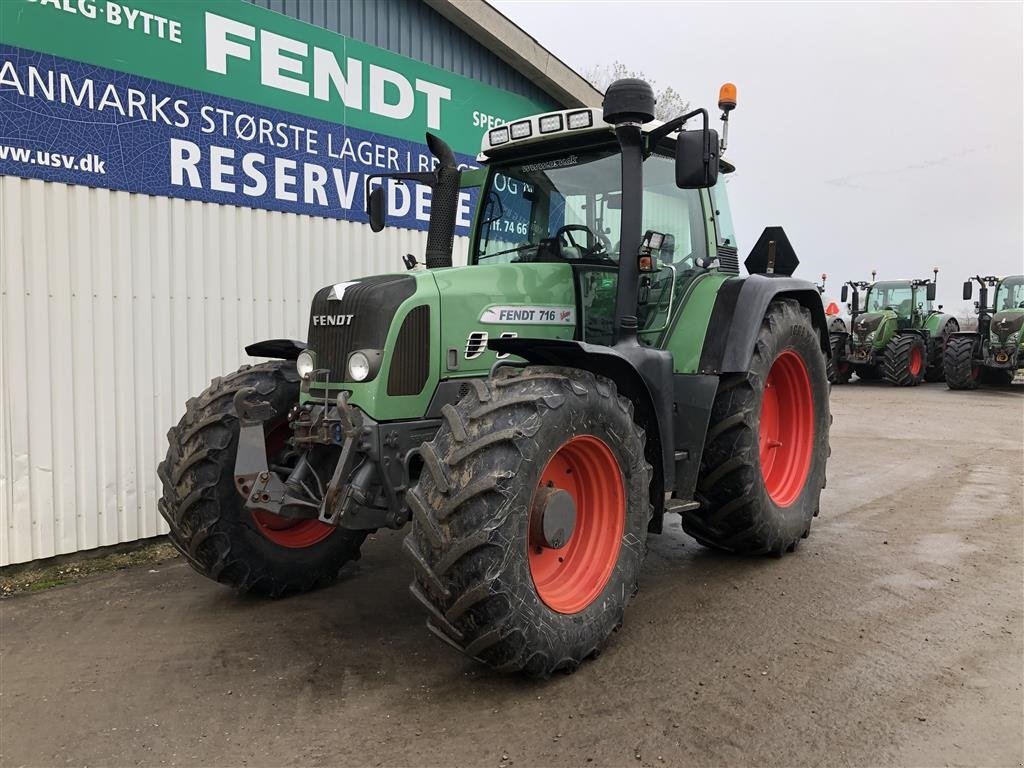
(371, 303)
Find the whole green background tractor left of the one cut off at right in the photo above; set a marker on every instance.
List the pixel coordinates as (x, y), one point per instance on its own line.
(898, 335)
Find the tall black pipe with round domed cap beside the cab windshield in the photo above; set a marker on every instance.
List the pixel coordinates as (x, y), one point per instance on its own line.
(628, 105)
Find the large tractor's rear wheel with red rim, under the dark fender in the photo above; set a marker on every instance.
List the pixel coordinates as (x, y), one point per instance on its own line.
(763, 466)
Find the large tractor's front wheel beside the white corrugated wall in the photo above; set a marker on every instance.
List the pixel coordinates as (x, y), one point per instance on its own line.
(220, 538)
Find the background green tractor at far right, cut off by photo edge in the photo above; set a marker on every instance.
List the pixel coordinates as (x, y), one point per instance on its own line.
(994, 354)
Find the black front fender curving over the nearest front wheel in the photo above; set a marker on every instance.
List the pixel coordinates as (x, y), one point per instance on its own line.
(643, 375)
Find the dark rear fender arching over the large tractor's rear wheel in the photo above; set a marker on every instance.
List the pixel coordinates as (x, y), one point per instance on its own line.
(740, 309)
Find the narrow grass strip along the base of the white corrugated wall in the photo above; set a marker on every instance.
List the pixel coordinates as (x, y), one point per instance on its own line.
(45, 575)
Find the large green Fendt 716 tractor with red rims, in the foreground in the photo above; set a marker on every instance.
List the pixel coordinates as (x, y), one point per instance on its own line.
(535, 415)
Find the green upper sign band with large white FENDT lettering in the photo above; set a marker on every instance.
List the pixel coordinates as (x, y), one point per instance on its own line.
(237, 51)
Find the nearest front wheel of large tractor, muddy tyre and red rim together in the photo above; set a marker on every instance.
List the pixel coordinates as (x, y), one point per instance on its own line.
(487, 568)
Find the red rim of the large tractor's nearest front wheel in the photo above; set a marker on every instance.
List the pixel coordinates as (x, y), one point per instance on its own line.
(570, 579)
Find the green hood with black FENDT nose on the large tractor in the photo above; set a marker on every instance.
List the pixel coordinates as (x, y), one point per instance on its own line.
(420, 328)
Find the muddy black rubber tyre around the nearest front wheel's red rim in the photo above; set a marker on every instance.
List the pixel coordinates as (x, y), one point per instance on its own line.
(472, 513)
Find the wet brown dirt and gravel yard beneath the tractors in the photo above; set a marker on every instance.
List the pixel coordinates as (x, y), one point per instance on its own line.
(892, 637)
